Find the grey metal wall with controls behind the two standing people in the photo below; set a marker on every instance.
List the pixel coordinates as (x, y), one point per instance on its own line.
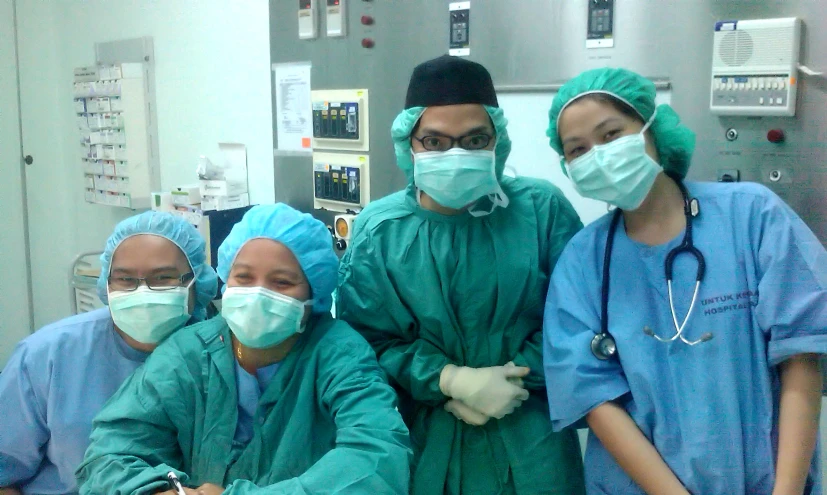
(542, 42)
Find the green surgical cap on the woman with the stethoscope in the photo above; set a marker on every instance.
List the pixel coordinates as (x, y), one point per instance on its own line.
(674, 142)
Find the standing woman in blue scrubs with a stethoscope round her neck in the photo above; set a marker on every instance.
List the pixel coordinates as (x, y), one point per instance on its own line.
(709, 388)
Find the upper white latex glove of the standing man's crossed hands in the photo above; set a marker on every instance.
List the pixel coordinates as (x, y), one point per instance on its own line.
(486, 390)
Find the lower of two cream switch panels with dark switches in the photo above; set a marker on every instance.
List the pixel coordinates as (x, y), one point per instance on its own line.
(341, 181)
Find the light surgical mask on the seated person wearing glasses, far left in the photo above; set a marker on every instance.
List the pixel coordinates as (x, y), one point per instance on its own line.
(150, 316)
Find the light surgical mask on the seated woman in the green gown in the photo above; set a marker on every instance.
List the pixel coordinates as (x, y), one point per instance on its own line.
(260, 317)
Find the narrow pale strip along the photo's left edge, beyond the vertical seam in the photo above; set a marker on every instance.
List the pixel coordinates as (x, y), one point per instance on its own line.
(15, 306)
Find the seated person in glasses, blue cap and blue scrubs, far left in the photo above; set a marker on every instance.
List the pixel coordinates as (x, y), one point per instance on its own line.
(154, 278)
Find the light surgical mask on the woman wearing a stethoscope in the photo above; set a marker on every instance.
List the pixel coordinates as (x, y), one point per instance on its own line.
(620, 173)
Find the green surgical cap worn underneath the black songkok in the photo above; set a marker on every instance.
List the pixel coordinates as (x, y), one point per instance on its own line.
(406, 121)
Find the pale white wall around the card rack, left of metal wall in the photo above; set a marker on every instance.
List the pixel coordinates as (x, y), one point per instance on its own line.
(213, 85)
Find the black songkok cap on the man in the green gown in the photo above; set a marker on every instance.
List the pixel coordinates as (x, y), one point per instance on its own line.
(450, 80)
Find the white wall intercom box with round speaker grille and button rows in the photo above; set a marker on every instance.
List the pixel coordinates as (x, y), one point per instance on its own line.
(755, 67)
